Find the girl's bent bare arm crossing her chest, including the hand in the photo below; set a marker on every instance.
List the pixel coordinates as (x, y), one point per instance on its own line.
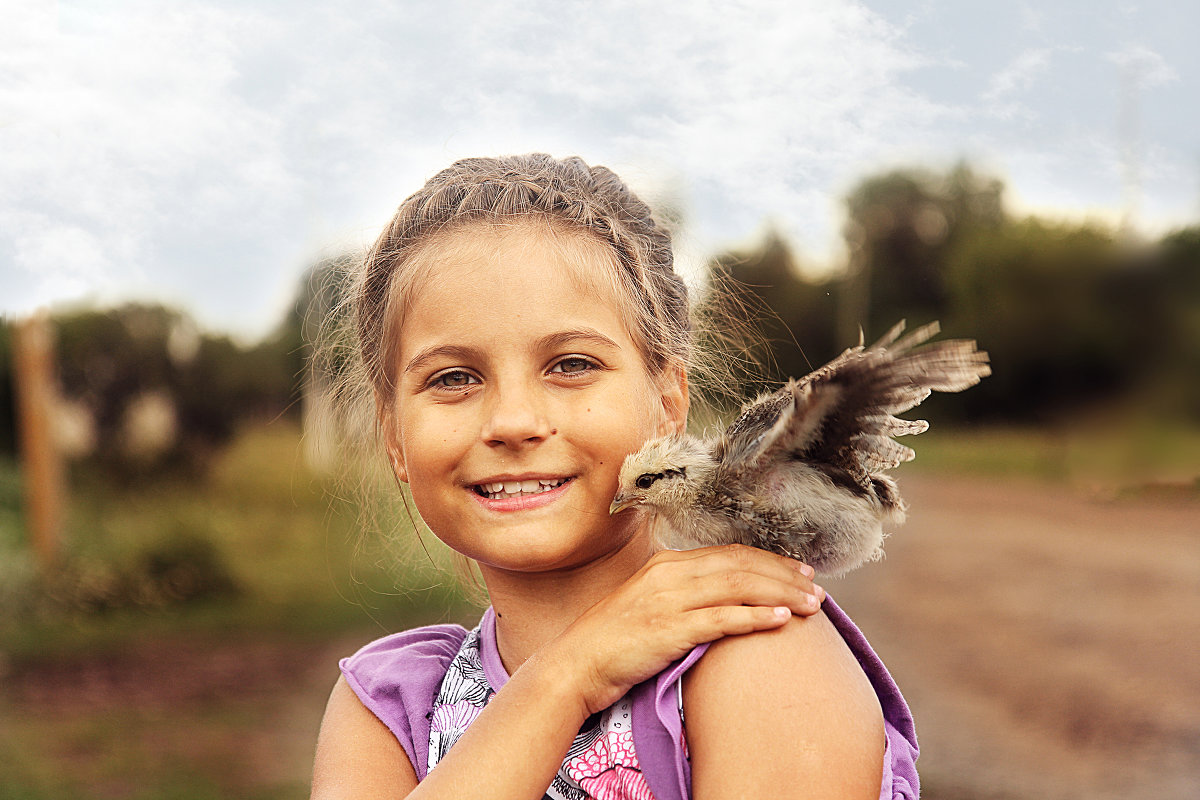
(517, 745)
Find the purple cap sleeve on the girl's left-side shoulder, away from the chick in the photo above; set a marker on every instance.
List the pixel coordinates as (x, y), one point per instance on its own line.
(398, 679)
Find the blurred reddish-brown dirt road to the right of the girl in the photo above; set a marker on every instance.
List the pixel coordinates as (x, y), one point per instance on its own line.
(1048, 643)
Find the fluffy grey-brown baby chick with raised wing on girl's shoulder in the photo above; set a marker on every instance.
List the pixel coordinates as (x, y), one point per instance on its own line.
(801, 471)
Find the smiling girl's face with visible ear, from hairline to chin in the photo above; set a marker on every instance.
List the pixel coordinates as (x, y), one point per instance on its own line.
(520, 393)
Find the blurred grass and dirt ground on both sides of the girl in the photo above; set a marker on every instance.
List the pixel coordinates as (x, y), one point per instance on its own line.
(1040, 611)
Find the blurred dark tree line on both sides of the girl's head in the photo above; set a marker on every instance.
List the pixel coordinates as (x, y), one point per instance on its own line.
(1076, 316)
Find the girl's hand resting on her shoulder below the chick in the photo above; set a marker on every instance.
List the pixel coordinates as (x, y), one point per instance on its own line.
(675, 603)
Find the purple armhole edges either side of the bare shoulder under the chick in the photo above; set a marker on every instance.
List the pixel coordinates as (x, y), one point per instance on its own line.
(658, 727)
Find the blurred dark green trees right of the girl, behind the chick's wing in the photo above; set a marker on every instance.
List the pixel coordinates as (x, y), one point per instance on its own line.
(1077, 317)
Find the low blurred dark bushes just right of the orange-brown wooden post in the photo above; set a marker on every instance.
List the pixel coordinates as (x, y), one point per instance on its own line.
(163, 395)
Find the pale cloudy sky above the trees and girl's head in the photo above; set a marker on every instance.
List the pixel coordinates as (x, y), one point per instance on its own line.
(205, 154)
